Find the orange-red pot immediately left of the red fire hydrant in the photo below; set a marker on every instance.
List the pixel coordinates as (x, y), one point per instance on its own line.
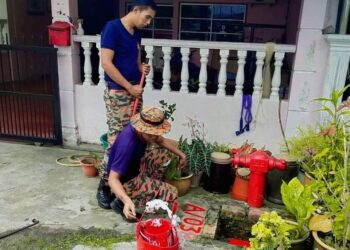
(240, 186)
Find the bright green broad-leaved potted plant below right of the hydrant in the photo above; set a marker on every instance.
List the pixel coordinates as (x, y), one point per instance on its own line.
(299, 202)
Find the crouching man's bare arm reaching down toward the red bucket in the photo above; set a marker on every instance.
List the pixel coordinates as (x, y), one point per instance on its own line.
(118, 189)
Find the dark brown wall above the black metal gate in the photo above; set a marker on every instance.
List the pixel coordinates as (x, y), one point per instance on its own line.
(28, 27)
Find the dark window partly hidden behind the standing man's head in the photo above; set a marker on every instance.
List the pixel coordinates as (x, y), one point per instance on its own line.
(162, 25)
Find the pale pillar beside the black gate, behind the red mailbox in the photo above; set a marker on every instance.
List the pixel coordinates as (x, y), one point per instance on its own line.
(68, 72)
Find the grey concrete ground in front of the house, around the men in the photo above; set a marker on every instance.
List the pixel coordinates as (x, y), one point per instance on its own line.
(32, 186)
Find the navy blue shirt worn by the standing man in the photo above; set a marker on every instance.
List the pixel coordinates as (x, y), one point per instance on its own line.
(125, 46)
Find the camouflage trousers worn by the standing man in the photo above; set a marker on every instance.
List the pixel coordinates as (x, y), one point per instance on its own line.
(119, 106)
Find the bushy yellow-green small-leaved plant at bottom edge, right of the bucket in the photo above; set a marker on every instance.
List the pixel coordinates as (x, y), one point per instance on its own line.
(270, 232)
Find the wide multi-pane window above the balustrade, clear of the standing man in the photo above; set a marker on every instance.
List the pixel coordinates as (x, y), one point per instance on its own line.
(212, 22)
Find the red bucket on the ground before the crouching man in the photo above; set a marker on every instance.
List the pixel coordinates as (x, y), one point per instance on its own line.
(151, 237)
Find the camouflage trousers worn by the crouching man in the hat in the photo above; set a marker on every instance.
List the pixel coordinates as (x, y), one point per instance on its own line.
(148, 185)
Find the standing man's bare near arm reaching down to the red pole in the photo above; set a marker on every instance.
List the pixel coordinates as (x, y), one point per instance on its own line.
(107, 56)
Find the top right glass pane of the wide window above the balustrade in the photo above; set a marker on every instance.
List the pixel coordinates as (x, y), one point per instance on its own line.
(228, 12)
